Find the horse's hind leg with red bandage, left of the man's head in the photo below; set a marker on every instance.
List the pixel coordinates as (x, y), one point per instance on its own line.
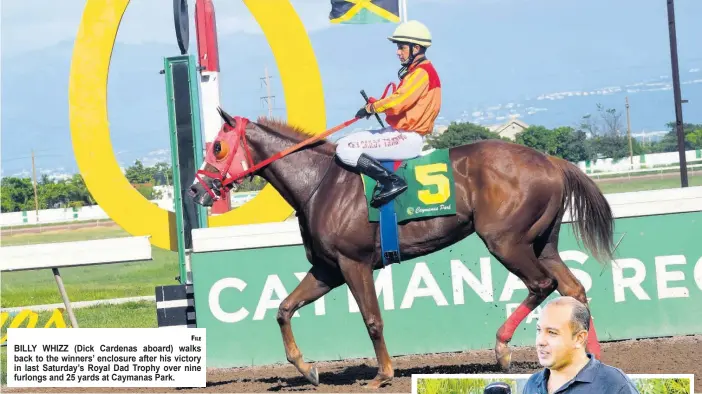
(519, 258)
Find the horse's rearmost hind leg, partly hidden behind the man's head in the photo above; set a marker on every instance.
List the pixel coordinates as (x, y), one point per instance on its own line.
(569, 285)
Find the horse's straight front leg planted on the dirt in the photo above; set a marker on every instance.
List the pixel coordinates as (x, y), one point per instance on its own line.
(359, 278)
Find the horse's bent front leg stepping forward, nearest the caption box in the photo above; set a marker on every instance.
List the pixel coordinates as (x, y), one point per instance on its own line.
(318, 282)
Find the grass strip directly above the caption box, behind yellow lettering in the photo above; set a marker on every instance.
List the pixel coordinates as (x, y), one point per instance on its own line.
(132, 315)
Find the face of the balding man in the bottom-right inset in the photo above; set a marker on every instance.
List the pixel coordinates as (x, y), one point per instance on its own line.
(556, 344)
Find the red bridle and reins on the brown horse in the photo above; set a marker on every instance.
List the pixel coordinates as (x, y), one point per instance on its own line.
(238, 139)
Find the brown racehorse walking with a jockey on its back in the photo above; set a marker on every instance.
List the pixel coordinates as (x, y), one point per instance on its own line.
(512, 196)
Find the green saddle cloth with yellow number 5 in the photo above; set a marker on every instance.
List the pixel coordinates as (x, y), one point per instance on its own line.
(430, 188)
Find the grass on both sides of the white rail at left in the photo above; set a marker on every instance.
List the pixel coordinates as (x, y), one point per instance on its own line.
(89, 282)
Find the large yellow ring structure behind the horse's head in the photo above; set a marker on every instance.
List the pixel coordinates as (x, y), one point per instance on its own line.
(90, 131)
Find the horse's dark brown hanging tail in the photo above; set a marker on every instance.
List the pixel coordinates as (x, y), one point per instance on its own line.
(593, 221)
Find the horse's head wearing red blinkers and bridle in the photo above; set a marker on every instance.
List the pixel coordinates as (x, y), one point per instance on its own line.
(226, 160)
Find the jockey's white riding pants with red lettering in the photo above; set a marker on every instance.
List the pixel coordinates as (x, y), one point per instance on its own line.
(383, 144)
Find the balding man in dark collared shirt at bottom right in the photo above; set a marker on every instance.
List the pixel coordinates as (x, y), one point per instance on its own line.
(561, 339)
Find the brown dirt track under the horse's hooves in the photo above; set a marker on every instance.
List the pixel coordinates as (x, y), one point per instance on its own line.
(664, 355)
